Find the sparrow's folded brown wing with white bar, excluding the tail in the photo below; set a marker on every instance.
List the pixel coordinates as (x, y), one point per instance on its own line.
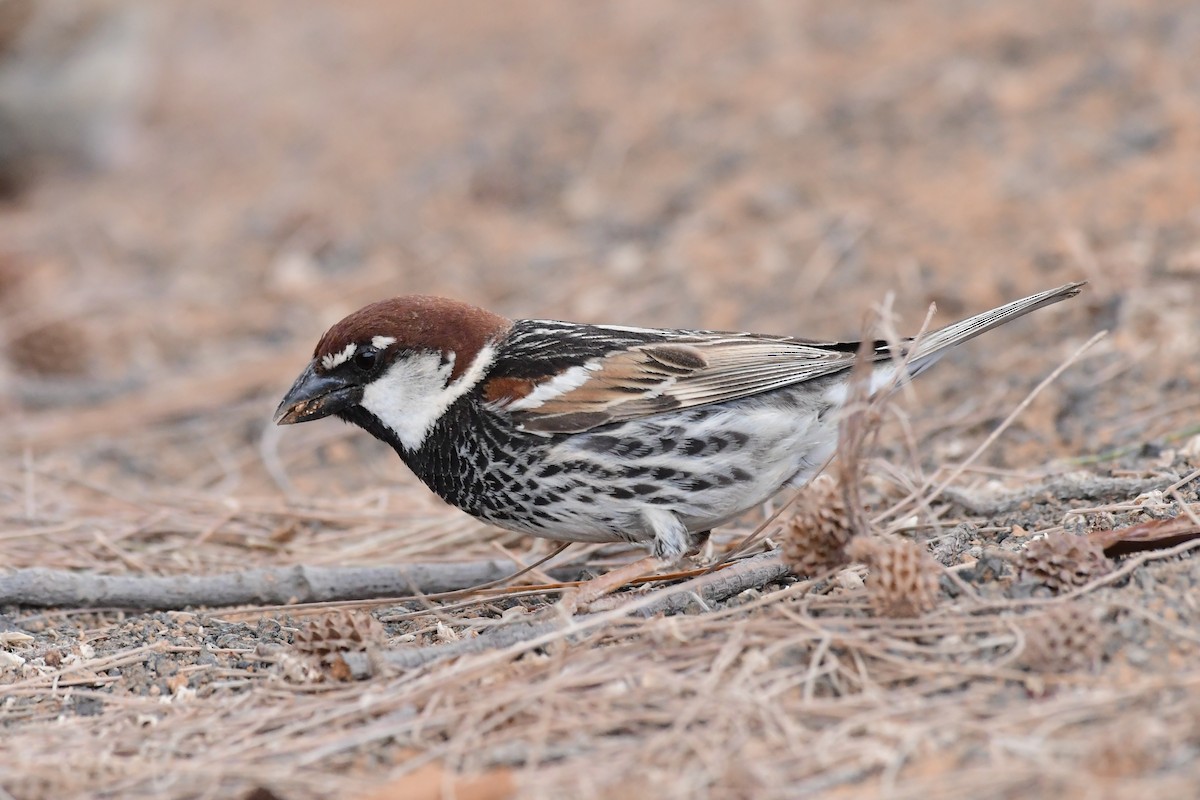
(674, 370)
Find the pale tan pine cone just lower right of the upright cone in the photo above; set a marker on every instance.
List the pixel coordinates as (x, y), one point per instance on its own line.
(902, 578)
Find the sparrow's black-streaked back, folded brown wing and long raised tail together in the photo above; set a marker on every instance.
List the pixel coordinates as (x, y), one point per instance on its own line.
(568, 378)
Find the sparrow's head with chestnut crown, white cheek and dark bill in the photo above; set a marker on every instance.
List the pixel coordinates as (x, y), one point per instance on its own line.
(394, 368)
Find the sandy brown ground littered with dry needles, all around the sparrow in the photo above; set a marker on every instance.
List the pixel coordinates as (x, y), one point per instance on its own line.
(770, 166)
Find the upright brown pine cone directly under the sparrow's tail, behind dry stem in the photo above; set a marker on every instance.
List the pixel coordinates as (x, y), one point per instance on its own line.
(814, 539)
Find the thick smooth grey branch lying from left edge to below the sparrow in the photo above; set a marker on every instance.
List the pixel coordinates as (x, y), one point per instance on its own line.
(296, 585)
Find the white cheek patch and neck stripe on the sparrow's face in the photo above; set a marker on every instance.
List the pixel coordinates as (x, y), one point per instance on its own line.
(413, 394)
